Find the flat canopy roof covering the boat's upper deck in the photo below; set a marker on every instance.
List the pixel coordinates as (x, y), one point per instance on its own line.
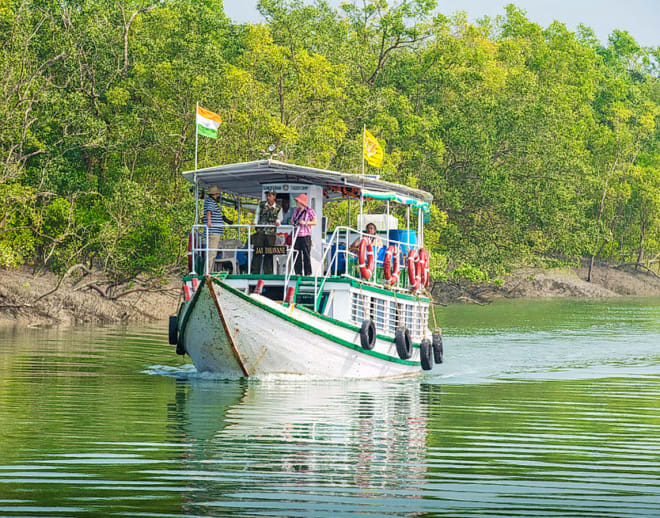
(247, 178)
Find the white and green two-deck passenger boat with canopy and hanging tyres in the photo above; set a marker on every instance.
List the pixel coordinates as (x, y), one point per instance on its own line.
(363, 312)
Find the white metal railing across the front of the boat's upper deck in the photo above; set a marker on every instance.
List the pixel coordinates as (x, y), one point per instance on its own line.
(200, 240)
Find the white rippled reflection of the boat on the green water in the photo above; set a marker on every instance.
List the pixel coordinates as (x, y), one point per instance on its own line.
(287, 434)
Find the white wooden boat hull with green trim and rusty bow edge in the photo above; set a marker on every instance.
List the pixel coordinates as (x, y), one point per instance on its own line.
(232, 334)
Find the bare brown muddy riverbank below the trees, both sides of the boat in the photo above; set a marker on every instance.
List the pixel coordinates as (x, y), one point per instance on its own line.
(76, 303)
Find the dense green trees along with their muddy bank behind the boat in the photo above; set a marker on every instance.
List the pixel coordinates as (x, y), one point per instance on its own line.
(541, 146)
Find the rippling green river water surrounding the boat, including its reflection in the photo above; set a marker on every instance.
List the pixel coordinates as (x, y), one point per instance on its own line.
(547, 408)
